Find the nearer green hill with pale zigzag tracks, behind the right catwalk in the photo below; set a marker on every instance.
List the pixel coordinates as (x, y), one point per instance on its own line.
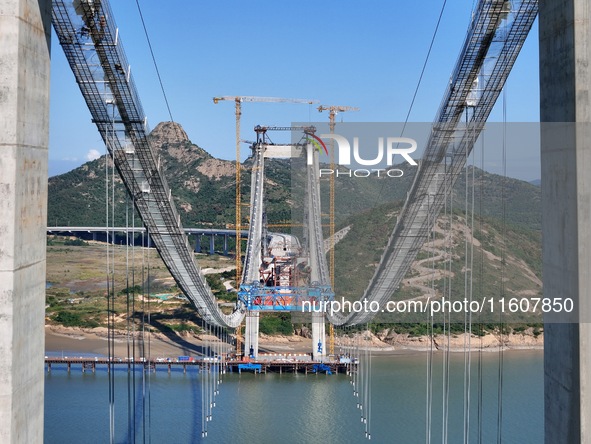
(500, 259)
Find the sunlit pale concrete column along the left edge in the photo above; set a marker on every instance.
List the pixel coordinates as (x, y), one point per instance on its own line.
(24, 129)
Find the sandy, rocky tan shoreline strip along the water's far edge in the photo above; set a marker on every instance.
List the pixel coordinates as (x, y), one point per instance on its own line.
(73, 341)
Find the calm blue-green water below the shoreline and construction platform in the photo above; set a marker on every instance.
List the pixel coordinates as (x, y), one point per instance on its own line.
(291, 408)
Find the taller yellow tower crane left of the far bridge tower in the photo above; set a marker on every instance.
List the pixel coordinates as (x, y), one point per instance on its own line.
(238, 106)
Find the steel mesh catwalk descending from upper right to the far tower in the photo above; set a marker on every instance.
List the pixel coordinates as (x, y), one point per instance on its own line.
(496, 35)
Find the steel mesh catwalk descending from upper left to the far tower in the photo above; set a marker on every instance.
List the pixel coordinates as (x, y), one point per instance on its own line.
(90, 38)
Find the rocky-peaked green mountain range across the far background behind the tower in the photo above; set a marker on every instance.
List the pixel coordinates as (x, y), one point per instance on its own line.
(203, 188)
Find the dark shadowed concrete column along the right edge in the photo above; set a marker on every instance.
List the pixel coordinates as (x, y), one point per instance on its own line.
(565, 100)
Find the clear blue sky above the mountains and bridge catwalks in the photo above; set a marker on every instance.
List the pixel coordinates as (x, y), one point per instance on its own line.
(364, 54)
